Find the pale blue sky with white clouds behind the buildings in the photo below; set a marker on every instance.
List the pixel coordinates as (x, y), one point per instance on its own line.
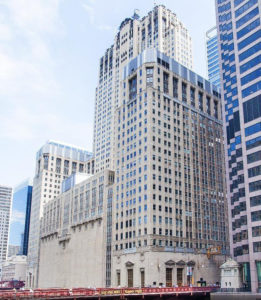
(49, 57)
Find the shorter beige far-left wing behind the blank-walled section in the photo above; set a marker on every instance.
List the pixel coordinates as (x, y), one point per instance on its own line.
(54, 162)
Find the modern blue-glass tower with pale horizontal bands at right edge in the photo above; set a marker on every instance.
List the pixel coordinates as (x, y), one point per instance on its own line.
(239, 34)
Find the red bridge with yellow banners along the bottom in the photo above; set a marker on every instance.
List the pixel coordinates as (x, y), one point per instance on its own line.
(111, 293)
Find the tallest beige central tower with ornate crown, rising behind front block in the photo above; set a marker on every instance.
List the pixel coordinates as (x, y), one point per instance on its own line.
(160, 29)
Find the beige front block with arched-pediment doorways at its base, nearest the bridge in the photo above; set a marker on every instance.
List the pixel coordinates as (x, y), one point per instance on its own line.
(170, 207)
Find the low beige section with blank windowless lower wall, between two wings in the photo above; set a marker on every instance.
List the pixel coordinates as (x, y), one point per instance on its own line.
(75, 248)
